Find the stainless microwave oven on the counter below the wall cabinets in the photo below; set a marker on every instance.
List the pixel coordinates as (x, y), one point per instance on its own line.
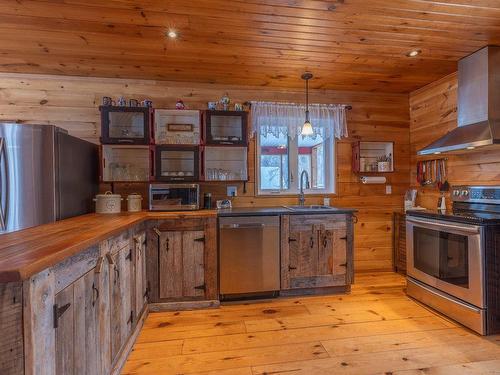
(174, 197)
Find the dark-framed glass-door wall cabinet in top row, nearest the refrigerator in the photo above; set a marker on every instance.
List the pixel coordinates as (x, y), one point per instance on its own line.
(126, 125)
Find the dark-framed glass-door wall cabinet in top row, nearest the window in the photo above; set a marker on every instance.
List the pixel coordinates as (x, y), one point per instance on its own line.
(225, 128)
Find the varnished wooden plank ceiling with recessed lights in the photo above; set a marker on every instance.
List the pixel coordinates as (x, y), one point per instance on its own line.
(347, 44)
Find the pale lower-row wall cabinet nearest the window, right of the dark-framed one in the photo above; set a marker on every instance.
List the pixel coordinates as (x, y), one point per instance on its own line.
(225, 163)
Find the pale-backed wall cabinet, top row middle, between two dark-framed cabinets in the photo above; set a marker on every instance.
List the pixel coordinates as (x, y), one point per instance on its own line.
(174, 126)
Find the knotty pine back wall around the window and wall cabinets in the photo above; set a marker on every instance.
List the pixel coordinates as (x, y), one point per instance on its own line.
(72, 103)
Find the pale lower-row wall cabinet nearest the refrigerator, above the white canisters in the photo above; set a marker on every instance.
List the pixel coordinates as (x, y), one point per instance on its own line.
(125, 163)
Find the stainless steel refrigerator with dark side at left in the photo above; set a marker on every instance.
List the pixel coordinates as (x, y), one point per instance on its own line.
(45, 175)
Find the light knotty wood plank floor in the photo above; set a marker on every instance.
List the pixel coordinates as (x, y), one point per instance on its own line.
(376, 329)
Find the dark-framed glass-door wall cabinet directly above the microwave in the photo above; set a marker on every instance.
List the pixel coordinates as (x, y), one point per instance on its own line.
(177, 163)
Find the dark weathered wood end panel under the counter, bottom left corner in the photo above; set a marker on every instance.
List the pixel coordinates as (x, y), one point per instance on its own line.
(11, 326)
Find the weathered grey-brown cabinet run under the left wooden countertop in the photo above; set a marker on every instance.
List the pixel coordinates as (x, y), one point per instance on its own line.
(79, 316)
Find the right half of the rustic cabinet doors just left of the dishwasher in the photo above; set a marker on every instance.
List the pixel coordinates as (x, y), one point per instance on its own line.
(193, 264)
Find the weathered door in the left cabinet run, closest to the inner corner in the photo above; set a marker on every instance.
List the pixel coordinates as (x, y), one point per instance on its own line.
(120, 299)
